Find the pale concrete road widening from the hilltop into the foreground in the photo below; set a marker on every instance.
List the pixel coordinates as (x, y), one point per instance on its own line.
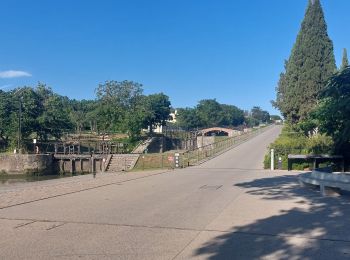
(226, 208)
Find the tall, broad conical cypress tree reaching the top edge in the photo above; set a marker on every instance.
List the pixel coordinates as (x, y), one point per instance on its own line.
(309, 66)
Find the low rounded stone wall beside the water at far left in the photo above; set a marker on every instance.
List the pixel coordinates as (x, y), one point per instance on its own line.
(26, 163)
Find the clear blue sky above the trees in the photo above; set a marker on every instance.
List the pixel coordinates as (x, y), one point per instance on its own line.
(231, 50)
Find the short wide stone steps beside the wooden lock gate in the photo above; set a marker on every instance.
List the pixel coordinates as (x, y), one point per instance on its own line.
(122, 162)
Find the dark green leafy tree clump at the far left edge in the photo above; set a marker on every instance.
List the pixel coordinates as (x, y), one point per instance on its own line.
(37, 113)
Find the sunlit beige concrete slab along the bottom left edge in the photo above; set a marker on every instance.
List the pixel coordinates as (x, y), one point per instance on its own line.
(92, 241)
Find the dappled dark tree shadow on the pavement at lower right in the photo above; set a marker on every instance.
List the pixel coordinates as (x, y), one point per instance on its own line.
(314, 228)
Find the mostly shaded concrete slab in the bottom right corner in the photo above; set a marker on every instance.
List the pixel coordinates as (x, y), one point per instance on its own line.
(218, 245)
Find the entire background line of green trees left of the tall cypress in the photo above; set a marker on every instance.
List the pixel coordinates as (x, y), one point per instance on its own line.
(120, 107)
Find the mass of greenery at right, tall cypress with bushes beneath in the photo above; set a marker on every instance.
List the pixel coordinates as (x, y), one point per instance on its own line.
(311, 97)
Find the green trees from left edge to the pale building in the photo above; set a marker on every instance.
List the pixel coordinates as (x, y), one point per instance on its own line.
(28, 113)
